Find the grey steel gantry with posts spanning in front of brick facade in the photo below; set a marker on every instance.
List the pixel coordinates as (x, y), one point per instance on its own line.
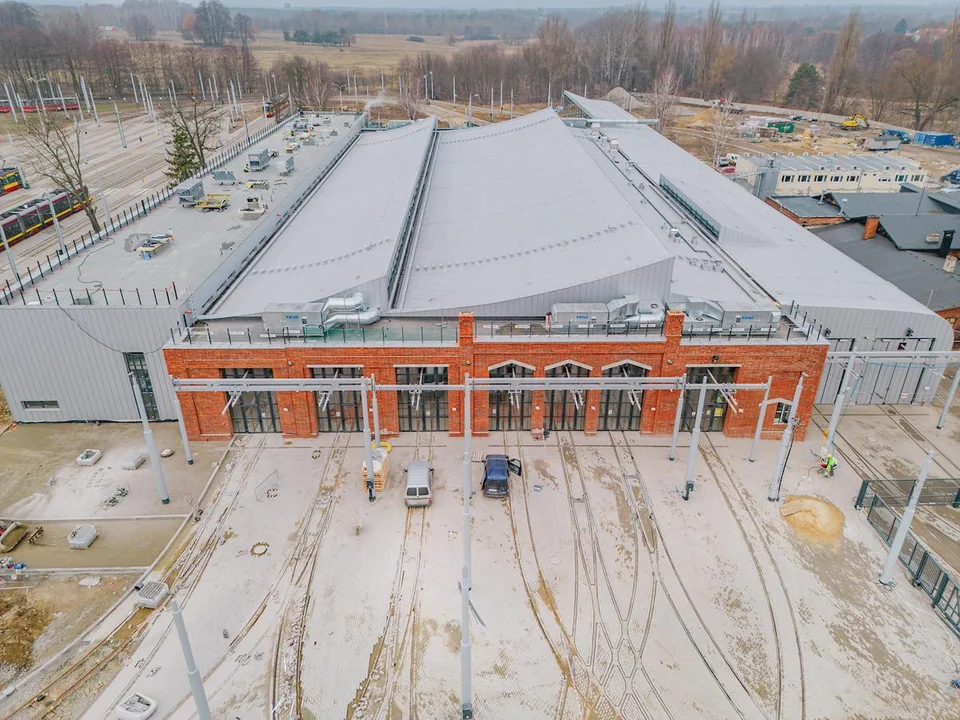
(633, 385)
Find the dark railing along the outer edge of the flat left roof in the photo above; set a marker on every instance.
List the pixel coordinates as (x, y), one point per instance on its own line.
(29, 275)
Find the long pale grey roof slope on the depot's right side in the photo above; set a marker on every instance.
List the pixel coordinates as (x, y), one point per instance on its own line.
(791, 263)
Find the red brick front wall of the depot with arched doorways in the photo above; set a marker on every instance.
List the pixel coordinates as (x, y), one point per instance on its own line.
(666, 356)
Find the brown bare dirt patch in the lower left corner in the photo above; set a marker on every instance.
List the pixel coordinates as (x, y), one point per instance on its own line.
(37, 622)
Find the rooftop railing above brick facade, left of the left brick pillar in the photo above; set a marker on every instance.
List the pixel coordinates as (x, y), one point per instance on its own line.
(404, 335)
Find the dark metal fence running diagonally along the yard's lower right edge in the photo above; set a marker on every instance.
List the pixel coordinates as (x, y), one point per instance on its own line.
(925, 572)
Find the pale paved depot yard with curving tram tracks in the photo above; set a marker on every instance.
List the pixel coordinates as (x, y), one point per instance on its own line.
(597, 591)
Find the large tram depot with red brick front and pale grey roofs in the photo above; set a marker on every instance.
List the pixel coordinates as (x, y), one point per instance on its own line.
(540, 247)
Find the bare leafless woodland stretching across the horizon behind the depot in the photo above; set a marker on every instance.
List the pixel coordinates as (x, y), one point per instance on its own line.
(897, 65)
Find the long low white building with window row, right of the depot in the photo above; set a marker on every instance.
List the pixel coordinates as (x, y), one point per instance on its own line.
(814, 174)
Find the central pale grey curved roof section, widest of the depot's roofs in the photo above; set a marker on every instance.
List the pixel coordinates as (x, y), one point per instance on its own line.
(517, 210)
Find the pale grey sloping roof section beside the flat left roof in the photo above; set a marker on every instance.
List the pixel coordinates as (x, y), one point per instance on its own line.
(346, 234)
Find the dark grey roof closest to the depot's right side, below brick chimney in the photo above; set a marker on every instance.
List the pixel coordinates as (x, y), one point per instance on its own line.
(919, 275)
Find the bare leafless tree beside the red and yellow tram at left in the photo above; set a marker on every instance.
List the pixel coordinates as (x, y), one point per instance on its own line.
(56, 146)
